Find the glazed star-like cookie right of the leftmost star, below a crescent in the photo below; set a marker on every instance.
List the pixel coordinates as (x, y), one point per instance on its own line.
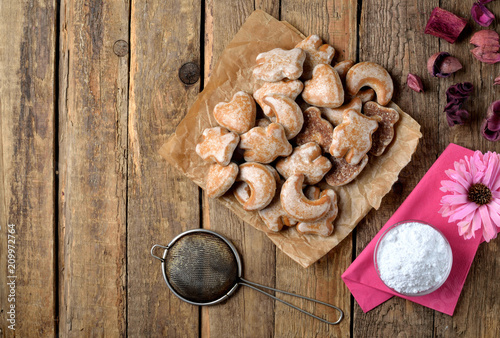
(264, 145)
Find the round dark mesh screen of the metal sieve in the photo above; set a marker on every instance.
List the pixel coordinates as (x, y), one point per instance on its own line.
(201, 267)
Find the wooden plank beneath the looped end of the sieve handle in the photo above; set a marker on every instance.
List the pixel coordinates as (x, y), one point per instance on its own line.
(335, 22)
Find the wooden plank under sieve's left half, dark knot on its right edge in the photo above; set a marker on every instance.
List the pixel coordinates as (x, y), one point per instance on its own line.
(161, 202)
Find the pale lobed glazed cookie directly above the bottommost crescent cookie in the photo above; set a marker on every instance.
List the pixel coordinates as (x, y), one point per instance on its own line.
(305, 159)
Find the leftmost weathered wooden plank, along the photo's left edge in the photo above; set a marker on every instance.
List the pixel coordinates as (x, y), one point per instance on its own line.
(27, 167)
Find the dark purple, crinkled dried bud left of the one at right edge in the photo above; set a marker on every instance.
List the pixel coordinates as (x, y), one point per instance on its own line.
(455, 98)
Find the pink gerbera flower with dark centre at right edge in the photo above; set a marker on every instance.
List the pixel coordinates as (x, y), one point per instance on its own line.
(474, 201)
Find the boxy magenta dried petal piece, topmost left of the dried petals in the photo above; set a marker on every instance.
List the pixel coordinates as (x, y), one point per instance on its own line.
(444, 24)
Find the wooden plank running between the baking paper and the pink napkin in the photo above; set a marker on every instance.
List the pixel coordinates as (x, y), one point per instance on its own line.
(391, 34)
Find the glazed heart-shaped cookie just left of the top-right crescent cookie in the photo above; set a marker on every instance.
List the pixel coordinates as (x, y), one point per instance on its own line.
(324, 89)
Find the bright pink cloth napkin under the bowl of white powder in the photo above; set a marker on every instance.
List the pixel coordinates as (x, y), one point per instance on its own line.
(422, 204)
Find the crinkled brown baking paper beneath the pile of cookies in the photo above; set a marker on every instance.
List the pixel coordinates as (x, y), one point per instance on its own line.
(261, 33)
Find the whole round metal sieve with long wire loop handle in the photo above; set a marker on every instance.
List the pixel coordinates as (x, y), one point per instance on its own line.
(202, 267)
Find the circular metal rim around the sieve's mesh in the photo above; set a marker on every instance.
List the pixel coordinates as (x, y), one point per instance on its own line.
(231, 246)
